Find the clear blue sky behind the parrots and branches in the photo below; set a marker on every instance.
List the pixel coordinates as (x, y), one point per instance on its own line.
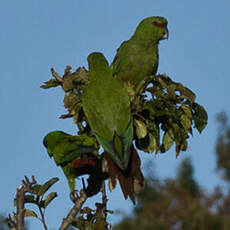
(36, 35)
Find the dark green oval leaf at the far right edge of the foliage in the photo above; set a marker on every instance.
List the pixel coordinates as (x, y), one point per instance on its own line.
(200, 117)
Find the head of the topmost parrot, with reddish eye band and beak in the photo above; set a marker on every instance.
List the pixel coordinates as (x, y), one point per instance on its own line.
(154, 28)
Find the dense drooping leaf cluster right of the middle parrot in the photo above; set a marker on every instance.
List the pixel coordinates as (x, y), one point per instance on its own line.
(166, 115)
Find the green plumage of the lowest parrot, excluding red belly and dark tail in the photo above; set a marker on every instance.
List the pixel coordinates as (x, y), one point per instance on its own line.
(65, 149)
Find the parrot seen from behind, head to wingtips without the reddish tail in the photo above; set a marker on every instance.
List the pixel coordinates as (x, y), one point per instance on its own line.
(106, 105)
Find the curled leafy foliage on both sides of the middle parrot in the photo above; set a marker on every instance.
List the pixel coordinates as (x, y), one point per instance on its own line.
(164, 111)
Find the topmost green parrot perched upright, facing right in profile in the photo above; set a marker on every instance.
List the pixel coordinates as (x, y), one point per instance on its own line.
(137, 58)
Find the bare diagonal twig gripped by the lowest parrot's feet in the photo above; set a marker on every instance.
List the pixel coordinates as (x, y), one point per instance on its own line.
(74, 211)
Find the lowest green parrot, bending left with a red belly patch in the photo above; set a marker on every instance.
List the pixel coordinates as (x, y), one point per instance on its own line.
(77, 155)
